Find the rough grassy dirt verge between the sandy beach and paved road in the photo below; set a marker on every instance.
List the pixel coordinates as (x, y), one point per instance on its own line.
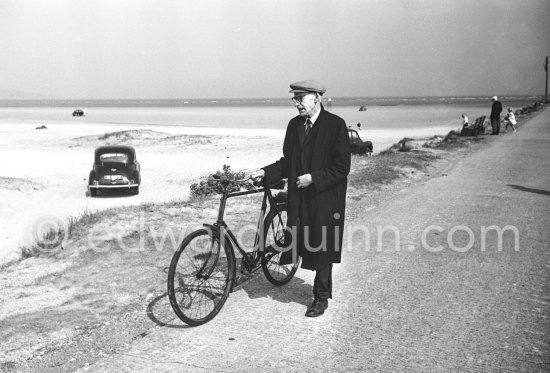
(104, 291)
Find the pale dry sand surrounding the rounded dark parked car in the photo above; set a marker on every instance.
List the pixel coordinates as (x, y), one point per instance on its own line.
(44, 172)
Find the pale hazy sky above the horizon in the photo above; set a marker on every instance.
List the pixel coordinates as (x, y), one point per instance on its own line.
(178, 49)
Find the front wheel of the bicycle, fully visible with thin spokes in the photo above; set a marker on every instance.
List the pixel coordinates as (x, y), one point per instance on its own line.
(200, 277)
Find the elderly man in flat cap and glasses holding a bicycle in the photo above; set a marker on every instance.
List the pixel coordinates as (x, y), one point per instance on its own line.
(316, 161)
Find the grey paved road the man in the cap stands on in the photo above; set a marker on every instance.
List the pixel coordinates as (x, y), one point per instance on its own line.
(402, 306)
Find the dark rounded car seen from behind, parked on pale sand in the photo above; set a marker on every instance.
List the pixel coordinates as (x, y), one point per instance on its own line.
(115, 167)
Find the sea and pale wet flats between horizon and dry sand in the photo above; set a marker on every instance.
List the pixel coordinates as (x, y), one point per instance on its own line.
(383, 120)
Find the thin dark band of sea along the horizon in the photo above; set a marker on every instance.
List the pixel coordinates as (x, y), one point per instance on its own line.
(335, 101)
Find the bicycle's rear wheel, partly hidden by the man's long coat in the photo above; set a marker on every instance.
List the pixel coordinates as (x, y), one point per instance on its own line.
(274, 229)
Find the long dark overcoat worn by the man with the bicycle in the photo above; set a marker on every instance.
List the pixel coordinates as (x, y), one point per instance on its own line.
(316, 214)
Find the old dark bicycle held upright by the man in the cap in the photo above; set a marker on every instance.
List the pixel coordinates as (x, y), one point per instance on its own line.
(202, 271)
